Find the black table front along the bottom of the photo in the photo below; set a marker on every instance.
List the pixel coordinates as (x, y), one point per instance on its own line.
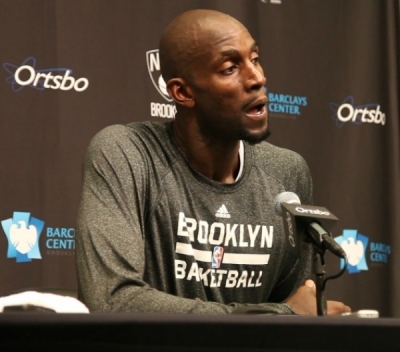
(27, 331)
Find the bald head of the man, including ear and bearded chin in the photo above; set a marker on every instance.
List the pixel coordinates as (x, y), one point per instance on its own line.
(210, 64)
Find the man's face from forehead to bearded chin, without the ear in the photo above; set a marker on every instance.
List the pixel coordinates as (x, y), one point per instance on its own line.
(228, 86)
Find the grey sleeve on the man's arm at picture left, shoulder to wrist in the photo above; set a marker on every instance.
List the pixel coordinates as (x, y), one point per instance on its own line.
(109, 236)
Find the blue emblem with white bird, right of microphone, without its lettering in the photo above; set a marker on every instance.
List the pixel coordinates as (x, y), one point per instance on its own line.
(355, 245)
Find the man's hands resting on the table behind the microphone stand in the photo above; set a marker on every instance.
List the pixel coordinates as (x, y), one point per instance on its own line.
(303, 302)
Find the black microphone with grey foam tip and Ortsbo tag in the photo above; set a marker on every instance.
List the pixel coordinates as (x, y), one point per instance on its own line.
(309, 218)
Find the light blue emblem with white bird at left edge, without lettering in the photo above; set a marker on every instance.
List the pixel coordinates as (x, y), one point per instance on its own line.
(23, 232)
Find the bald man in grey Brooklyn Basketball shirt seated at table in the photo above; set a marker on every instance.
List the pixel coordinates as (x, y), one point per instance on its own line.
(178, 216)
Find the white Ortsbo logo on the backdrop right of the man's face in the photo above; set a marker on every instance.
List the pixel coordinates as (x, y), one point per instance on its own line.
(348, 112)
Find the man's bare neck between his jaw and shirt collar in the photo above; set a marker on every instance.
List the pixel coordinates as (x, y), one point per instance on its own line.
(216, 160)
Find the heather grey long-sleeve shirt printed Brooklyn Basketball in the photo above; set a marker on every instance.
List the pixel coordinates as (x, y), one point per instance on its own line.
(154, 235)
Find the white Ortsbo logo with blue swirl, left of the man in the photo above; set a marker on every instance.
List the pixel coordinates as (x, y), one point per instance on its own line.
(27, 75)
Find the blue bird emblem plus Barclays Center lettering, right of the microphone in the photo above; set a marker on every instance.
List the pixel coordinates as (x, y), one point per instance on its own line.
(361, 253)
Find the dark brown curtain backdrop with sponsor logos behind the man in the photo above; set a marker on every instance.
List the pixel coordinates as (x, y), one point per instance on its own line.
(70, 68)
